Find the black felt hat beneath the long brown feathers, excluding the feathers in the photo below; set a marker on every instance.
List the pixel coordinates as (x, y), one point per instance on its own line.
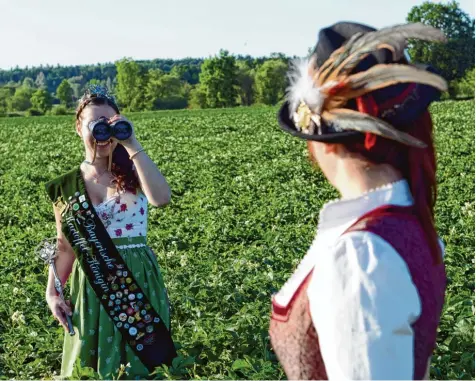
(398, 104)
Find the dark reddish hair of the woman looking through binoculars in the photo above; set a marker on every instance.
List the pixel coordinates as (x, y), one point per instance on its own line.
(122, 166)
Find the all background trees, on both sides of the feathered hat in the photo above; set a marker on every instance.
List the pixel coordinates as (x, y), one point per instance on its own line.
(224, 80)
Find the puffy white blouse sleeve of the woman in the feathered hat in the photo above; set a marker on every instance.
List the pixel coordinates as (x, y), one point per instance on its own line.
(362, 303)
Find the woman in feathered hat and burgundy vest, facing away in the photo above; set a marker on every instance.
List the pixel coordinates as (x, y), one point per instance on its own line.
(366, 300)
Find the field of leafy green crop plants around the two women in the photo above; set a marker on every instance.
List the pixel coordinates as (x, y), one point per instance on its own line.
(244, 211)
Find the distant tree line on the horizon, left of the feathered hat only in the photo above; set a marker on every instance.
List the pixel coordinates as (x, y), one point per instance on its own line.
(221, 81)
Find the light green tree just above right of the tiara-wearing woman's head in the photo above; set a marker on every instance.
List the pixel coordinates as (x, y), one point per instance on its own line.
(130, 81)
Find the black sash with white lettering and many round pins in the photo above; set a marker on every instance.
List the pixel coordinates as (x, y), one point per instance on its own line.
(113, 283)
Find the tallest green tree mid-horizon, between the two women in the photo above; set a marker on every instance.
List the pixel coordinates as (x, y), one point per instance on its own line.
(218, 80)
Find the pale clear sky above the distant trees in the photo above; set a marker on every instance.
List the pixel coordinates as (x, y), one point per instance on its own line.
(65, 32)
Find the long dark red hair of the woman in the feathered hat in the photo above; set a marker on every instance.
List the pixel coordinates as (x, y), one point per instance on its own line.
(417, 165)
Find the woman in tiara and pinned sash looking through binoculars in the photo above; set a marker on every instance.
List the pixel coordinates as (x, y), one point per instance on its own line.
(119, 305)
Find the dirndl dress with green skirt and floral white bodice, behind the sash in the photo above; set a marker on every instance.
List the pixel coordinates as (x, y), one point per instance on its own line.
(98, 344)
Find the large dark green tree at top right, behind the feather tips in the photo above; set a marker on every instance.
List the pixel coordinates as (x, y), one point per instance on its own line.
(455, 57)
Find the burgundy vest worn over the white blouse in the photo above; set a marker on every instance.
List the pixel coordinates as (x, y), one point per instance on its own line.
(293, 336)
